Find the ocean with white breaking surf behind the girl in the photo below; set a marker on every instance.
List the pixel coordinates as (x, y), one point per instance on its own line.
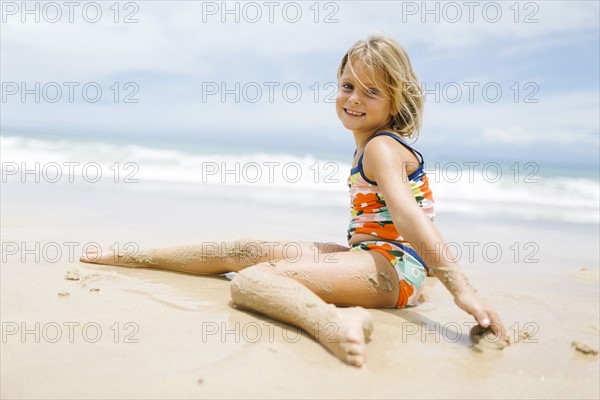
(520, 191)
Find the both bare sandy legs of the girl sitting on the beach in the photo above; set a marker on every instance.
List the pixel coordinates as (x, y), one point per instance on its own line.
(293, 283)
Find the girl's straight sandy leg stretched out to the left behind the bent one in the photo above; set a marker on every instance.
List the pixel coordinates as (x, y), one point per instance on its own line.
(211, 257)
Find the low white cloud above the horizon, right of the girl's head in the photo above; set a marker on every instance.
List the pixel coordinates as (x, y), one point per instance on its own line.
(571, 117)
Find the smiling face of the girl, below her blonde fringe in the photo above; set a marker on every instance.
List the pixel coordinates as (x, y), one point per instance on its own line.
(363, 111)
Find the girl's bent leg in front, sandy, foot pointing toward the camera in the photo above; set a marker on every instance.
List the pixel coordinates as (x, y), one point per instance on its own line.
(299, 293)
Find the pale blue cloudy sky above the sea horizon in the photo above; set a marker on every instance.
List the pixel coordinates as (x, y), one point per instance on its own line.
(506, 79)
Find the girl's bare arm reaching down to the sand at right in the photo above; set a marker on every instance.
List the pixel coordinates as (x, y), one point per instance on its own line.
(382, 164)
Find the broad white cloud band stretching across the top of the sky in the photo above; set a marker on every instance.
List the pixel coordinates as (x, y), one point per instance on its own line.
(173, 37)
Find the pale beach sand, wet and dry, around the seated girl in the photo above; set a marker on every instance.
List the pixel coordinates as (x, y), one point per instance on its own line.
(141, 333)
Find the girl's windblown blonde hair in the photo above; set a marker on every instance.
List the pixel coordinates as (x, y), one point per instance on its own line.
(383, 57)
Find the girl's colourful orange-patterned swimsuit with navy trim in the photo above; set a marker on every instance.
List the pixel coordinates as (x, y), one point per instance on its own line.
(370, 215)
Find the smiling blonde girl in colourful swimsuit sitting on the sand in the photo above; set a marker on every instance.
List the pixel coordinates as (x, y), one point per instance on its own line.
(393, 242)
